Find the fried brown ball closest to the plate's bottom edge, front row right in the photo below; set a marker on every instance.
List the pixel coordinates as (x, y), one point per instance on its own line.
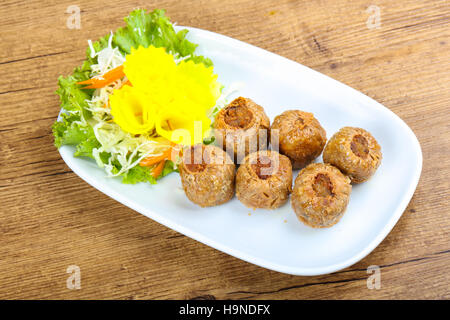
(321, 194)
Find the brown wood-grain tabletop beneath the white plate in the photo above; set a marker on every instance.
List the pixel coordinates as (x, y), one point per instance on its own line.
(51, 219)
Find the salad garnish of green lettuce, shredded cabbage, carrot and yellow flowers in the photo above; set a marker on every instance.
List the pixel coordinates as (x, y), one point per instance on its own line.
(138, 87)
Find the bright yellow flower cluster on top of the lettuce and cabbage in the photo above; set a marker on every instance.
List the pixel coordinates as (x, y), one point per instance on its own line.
(172, 99)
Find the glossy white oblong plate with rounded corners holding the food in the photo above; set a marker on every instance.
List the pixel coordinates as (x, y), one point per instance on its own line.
(276, 239)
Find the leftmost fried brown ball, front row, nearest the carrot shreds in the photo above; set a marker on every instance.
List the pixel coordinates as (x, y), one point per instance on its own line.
(207, 175)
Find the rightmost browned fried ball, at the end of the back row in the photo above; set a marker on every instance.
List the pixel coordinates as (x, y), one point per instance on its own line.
(355, 152)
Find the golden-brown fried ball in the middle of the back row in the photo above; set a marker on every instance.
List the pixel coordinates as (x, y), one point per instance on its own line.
(301, 137)
